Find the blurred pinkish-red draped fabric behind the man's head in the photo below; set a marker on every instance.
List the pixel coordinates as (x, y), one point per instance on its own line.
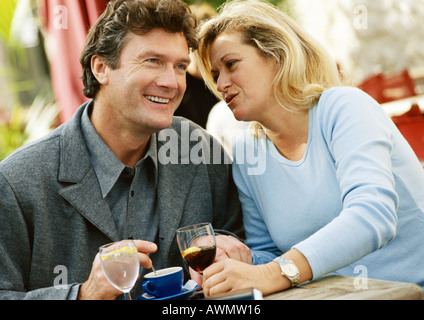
(66, 23)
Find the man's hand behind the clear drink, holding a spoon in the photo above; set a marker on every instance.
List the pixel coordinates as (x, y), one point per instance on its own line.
(97, 287)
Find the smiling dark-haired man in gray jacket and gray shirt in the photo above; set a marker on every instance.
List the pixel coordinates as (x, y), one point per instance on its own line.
(121, 167)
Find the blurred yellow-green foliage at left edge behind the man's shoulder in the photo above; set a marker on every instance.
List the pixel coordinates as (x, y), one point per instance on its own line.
(25, 85)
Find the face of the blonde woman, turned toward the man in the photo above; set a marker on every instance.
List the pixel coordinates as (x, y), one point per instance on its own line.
(243, 77)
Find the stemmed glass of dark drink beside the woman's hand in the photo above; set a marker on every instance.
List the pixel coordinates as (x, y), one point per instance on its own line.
(197, 245)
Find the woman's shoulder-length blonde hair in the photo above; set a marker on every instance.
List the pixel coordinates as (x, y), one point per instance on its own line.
(305, 67)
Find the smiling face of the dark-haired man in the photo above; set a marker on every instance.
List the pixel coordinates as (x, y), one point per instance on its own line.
(143, 93)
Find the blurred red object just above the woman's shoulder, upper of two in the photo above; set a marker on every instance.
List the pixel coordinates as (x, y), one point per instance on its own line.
(389, 88)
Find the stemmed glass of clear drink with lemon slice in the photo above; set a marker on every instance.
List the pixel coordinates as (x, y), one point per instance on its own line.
(120, 264)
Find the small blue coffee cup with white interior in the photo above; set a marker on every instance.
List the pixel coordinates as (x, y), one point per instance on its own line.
(164, 282)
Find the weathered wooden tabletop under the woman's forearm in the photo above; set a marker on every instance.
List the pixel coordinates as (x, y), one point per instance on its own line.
(350, 288)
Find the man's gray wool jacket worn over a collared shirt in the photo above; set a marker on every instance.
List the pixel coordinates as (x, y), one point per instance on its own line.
(53, 218)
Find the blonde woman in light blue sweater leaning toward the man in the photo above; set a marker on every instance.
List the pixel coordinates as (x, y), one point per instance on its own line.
(339, 189)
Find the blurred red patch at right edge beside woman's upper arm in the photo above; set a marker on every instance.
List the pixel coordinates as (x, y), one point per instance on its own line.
(411, 125)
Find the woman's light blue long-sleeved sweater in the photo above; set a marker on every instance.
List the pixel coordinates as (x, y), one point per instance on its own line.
(353, 205)
